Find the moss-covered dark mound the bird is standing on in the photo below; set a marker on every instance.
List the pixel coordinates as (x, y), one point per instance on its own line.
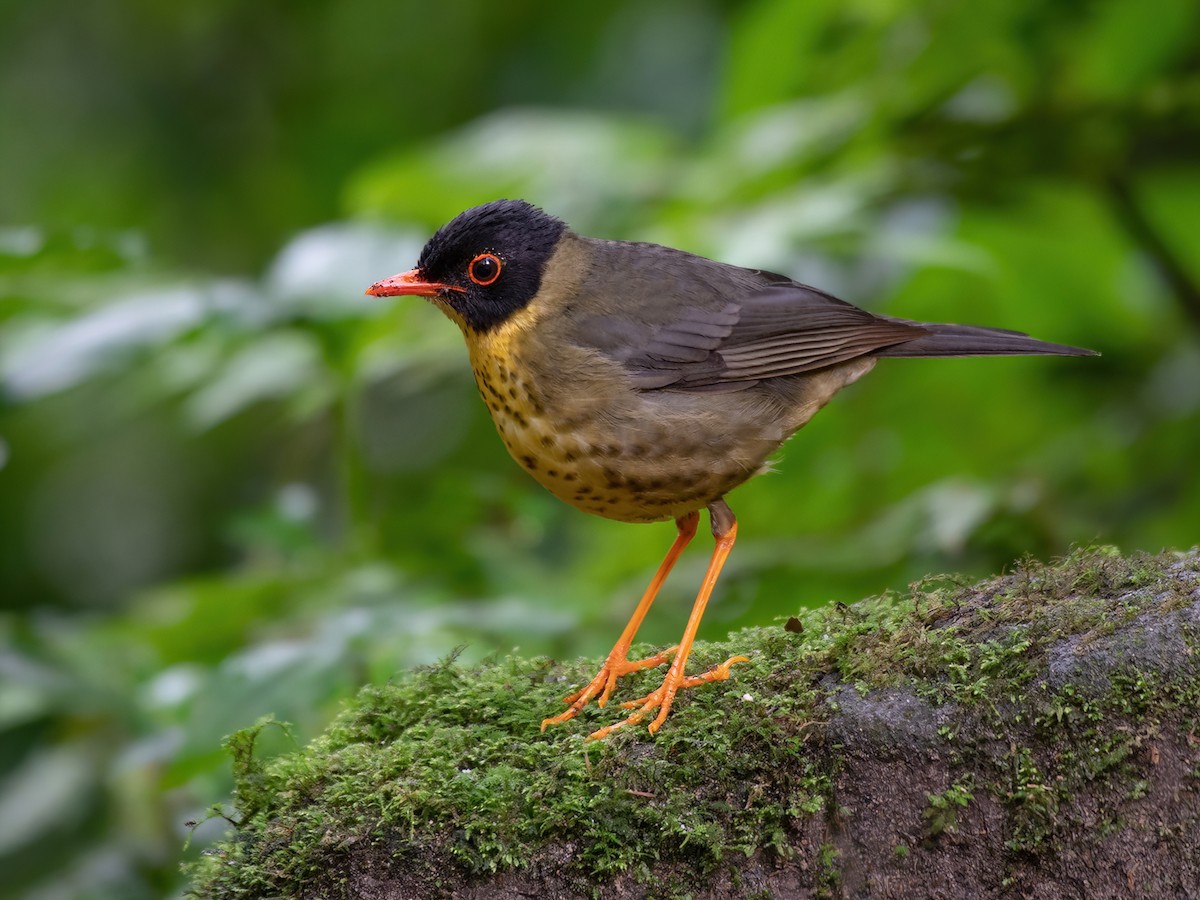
(1031, 736)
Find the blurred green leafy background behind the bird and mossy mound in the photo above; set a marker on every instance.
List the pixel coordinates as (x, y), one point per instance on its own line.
(231, 485)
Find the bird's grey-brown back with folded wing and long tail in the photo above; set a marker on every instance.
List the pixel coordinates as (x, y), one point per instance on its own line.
(722, 328)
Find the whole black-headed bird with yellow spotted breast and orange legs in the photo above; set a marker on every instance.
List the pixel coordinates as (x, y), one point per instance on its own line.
(644, 383)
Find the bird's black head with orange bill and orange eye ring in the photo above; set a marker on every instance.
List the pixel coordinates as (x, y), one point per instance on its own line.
(484, 266)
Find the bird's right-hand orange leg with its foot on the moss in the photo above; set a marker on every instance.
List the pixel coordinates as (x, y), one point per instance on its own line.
(725, 530)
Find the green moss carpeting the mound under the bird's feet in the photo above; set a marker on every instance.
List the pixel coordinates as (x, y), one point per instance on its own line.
(449, 763)
